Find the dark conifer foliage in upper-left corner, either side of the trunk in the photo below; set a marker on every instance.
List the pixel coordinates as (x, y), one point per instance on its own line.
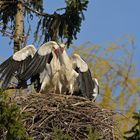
(8, 10)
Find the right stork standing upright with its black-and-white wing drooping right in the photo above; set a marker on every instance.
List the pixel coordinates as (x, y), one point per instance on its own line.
(76, 75)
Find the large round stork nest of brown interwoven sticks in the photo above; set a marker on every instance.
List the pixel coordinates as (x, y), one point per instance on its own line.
(75, 116)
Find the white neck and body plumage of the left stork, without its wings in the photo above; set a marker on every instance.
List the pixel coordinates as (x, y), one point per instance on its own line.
(50, 76)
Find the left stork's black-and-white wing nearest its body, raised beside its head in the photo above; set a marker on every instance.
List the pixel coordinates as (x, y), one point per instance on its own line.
(38, 63)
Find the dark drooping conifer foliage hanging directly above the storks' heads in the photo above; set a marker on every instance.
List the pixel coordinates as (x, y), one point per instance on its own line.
(64, 26)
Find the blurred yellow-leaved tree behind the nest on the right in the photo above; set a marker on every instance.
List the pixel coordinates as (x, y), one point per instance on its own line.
(119, 87)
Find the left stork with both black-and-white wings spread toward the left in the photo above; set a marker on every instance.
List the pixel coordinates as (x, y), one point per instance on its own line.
(41, 66)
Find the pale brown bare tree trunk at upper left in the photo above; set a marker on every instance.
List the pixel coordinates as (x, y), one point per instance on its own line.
(19, 27)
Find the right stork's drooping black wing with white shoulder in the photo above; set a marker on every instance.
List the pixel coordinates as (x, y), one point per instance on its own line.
(84, 80)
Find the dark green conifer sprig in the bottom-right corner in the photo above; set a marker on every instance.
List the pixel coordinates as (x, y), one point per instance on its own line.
(134, 132)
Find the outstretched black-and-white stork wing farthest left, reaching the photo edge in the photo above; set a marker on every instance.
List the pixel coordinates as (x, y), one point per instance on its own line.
(15, 65)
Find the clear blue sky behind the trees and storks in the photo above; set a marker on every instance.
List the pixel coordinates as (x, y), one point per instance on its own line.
(105, 21)
